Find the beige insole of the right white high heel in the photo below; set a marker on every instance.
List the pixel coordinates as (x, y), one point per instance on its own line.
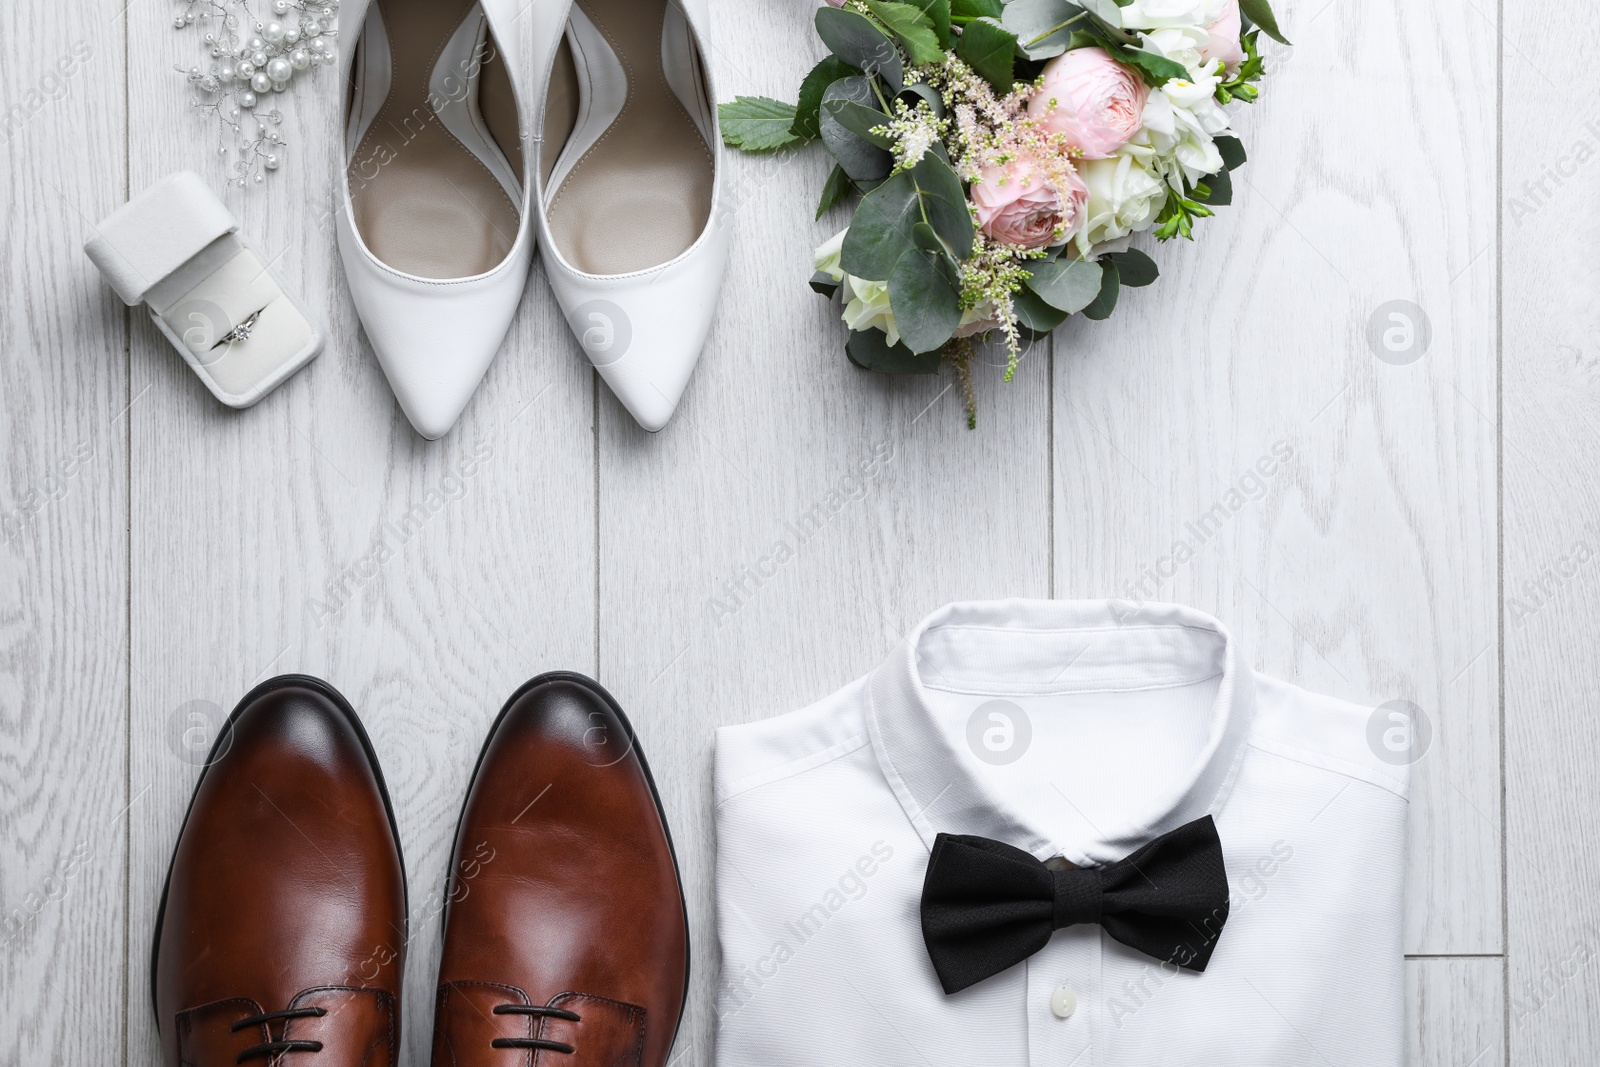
(641, 196)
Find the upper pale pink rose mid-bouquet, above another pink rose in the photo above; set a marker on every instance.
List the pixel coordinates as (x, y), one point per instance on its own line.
(1090, 98)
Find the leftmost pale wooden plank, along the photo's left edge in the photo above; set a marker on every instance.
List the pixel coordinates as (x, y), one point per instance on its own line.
(63, 543)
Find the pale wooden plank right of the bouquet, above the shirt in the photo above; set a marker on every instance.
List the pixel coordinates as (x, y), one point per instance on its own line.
(1364, 564)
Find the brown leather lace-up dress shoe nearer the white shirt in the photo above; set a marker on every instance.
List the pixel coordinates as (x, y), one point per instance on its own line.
(566, 930)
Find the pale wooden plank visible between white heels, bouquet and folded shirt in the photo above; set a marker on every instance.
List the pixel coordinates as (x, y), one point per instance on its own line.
(721, 602)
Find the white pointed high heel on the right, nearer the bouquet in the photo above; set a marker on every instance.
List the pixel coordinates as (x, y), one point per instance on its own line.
(628, 190)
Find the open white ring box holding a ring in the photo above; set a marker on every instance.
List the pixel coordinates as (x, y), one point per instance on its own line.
(177, 249)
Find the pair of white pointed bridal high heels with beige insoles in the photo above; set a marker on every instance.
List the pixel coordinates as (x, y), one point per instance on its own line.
(450, 178)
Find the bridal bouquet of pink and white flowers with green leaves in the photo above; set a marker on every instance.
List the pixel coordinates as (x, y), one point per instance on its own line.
(1004, 154)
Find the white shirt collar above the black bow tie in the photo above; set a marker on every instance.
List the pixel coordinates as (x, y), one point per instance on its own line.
(1038, 647)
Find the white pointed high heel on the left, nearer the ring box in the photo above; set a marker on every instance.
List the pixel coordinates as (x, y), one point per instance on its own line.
(434, 226)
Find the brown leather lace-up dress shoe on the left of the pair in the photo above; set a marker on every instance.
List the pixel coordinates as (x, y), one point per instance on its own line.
(284, 922)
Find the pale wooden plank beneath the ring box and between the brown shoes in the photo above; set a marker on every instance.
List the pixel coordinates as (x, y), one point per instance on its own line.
(319, 533)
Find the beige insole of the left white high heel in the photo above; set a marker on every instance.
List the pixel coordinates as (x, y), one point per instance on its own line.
(425, 204)
